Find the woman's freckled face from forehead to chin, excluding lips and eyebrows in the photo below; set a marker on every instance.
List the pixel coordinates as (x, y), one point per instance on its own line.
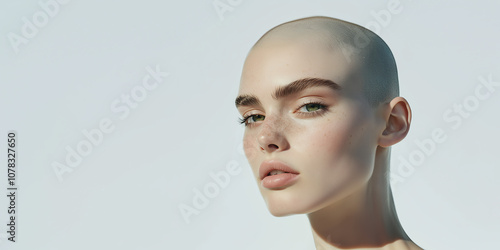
(326, 135)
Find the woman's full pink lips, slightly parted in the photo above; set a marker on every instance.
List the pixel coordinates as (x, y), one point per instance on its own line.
(276, 181)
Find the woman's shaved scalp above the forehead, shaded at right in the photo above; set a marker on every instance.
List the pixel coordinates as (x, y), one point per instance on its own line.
(357, 44)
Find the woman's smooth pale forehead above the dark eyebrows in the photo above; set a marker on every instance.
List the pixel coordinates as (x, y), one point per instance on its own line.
(281, 61)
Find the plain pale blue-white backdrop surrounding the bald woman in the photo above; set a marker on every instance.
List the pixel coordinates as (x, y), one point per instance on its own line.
(124, 113)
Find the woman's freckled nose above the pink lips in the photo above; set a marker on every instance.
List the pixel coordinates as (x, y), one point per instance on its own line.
(271, 136)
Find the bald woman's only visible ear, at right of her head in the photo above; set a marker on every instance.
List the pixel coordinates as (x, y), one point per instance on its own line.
(397, 122)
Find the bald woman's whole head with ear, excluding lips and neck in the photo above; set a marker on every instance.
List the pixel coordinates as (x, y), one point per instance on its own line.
(320, 95)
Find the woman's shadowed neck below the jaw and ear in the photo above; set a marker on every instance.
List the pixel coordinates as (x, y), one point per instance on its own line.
(365, 219)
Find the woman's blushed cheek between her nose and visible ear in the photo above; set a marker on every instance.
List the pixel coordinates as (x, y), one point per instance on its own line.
(340, 150)
